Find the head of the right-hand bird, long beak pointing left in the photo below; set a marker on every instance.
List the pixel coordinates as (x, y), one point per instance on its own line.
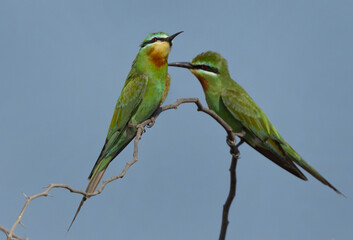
(209, 68)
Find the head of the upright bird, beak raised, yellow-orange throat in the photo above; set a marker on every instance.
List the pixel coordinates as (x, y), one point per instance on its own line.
(157, 47)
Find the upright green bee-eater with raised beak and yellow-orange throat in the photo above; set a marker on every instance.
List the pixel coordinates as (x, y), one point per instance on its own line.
(145, 89)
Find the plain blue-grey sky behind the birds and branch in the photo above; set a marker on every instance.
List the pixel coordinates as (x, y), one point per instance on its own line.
(62, 67)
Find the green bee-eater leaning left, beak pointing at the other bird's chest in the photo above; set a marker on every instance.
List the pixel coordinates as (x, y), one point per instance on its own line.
(234, 105)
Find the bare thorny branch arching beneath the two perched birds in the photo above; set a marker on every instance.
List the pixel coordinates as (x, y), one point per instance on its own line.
(140, 130)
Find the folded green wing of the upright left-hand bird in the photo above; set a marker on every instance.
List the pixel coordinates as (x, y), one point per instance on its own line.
(127, 104)
